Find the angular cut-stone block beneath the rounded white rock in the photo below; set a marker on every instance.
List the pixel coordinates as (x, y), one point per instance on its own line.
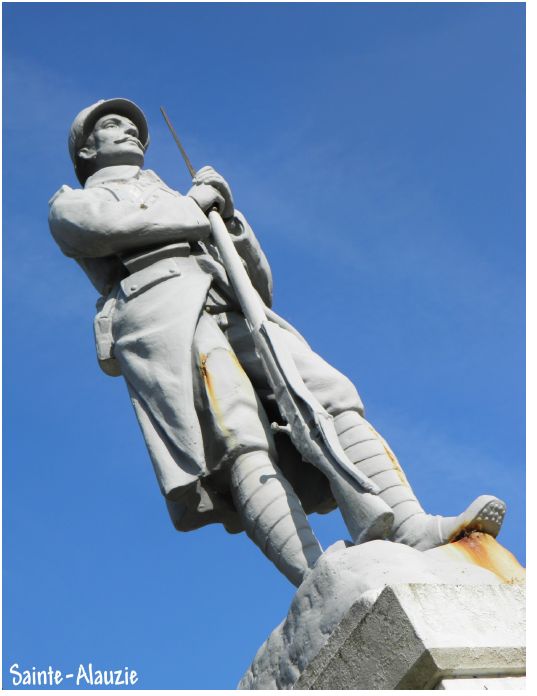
(425, 637)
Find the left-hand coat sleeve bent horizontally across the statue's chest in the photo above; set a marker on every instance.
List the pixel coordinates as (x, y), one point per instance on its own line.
(93, 223)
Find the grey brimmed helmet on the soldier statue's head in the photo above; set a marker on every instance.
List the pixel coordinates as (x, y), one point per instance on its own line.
(87, 118)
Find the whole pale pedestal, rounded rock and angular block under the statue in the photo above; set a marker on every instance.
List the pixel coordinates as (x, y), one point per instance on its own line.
(384, 616)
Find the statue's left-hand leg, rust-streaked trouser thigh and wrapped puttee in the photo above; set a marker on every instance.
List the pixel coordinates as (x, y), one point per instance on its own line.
(237, 434)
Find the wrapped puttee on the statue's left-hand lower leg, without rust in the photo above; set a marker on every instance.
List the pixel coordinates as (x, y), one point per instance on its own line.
(273, 516)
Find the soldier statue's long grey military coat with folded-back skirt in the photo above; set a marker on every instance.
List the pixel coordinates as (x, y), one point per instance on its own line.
(147, 250)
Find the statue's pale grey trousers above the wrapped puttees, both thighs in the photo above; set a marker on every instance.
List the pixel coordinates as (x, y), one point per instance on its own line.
(228, 366)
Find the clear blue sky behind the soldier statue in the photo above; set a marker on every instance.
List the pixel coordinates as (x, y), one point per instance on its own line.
(378, 152)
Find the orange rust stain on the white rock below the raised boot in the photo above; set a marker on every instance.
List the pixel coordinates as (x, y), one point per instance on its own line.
(483, 550)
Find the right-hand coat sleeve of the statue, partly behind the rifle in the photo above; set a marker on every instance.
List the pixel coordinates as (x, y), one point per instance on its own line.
(254, 259)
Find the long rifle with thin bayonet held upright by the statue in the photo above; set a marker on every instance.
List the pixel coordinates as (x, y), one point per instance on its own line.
(308, 424)
